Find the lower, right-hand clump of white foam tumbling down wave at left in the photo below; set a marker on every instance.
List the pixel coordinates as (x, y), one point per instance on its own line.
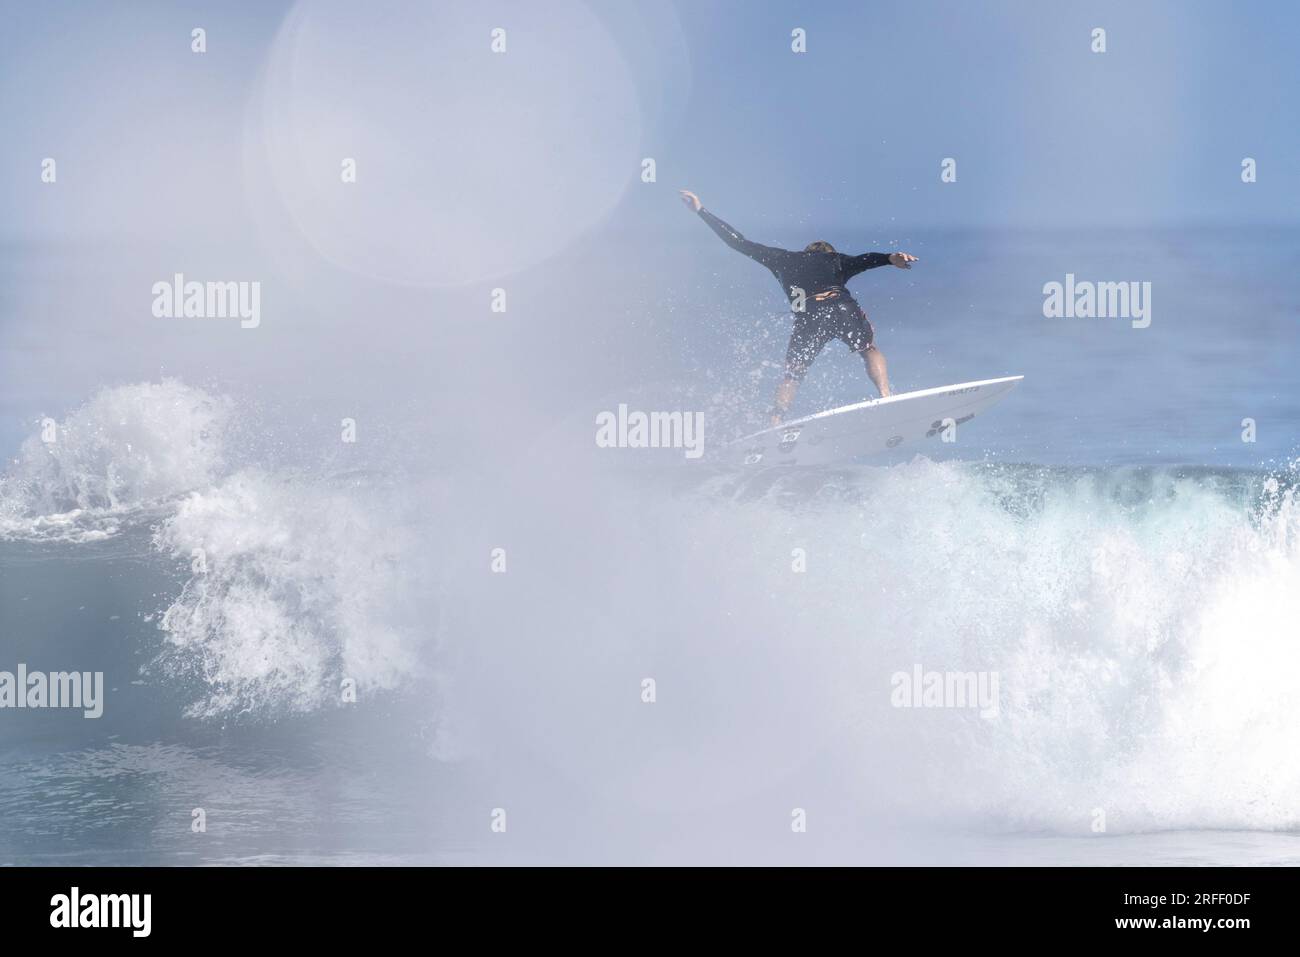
(298, 586)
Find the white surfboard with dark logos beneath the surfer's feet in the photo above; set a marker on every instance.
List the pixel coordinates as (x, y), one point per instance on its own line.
(864, 428)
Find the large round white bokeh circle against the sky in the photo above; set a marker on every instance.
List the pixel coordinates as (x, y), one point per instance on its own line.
(470, 163)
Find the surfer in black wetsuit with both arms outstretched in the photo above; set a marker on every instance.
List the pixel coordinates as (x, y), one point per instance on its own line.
(814, 280)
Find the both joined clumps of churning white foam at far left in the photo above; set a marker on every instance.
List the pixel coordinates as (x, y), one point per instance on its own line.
(305, 582)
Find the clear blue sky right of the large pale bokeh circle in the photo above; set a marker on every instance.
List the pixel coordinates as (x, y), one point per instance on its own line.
(1046, 132)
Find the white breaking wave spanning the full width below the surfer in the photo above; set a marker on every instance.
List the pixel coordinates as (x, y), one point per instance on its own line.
(1141, 621)
